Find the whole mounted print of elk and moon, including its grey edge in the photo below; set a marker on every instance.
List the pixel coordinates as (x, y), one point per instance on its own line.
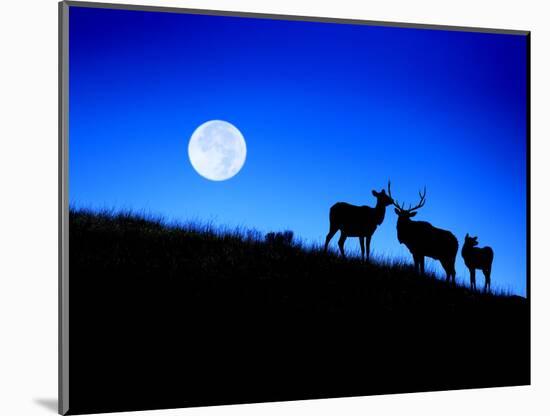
(259, 208)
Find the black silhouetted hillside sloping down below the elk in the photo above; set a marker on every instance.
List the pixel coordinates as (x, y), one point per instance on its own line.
(172, 317)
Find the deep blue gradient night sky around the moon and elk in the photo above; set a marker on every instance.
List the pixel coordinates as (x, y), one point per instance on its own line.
(329, 112)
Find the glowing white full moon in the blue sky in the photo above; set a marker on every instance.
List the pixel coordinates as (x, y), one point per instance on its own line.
(217, 150)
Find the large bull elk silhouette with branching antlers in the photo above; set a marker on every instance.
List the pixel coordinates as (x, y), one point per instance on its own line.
(424, 240)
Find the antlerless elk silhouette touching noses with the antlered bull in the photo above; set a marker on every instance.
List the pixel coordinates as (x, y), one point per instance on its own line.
(357, 221)
